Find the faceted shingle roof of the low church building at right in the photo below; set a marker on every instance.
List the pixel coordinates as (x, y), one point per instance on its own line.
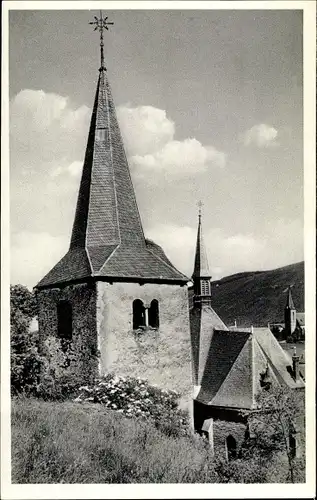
(234, 365)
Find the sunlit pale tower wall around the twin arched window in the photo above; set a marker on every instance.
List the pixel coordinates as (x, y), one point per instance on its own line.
(162, 356)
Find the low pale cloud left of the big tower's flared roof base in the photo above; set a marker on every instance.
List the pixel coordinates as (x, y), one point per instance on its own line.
(34, 254)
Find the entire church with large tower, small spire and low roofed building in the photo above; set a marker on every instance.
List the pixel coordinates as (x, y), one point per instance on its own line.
(118, 302)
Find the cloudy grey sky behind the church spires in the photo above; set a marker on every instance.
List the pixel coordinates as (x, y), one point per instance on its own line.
(210, 105)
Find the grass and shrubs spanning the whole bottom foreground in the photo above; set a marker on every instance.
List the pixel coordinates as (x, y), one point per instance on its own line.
(69, 442)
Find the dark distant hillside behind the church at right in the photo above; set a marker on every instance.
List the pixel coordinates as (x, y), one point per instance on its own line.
(258, 297)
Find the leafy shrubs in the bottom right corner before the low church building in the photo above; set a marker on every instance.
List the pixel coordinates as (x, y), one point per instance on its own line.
(267, 455)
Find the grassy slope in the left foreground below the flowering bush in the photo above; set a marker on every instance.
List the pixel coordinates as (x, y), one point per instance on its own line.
(84, 443)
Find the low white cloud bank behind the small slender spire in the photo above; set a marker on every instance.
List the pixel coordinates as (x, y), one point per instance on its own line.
(232, 253)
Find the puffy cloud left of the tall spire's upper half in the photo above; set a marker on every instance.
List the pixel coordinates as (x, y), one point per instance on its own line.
(45, 128)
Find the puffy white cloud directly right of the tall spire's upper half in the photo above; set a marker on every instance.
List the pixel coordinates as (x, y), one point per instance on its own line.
(149, 139)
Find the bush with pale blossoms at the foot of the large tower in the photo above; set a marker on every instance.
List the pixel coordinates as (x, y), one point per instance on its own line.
(135, 397)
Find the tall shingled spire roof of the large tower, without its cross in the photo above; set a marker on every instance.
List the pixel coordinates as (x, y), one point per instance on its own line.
(107, 238)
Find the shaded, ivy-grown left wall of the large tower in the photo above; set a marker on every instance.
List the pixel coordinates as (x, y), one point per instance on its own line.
(84, 339)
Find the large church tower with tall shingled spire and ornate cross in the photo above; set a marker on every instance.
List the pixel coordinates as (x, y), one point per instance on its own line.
(115, 292)
